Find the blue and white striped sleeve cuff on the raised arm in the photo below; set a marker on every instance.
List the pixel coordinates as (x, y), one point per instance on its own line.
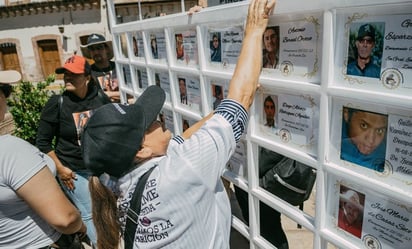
(235, 114)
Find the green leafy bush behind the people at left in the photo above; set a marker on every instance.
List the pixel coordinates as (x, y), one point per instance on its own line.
(26, 104)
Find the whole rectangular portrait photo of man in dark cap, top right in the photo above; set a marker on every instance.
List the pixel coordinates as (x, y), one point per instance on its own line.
(365, 49)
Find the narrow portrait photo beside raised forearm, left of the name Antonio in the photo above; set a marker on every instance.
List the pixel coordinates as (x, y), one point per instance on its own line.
(271, 47)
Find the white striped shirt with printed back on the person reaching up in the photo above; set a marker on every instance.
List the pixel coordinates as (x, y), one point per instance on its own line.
(184, 204)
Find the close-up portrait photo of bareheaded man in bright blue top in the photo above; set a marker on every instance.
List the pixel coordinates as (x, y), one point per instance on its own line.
(364, 138)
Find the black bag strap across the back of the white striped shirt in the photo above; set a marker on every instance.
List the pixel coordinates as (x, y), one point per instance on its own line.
(134, 210)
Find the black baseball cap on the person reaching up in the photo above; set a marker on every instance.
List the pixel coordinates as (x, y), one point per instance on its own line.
(114, 133)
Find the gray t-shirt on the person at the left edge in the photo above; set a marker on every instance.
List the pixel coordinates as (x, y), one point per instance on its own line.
(20, 226)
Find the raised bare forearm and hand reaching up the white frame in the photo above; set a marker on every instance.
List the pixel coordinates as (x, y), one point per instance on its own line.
(244, 82)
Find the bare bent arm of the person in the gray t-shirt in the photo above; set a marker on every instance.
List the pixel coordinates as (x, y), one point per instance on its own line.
(44, 196)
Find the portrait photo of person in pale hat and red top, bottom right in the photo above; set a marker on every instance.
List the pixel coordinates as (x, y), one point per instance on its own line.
(350, 214)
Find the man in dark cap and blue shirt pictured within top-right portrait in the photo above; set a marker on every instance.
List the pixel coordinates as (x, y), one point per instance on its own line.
(365, 61)
